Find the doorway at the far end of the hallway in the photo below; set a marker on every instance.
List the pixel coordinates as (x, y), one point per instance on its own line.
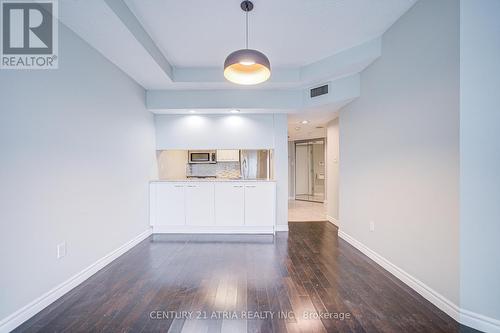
(310, 170)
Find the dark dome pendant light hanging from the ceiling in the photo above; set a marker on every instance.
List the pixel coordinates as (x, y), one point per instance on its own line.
(247, 66)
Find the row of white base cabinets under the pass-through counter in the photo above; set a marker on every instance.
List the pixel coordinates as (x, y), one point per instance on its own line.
(213, 206)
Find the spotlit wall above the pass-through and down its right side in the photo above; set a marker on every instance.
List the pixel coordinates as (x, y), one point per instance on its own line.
(238, 131)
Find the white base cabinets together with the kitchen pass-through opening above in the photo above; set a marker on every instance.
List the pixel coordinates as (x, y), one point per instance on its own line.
(214, 191)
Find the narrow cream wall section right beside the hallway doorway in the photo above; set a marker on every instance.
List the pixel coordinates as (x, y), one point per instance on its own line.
(332, 169)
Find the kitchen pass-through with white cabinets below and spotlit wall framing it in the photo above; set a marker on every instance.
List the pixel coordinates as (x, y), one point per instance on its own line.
(220, 173)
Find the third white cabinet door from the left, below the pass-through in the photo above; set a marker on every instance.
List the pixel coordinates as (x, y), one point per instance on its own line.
(229, 204)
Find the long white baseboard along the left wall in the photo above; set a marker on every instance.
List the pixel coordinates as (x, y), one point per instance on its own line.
(20, 316)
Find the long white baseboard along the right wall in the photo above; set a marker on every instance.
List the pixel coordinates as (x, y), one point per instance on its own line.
(462, 316)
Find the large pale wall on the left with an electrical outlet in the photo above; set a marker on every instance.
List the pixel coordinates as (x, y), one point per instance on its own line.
(77, 151)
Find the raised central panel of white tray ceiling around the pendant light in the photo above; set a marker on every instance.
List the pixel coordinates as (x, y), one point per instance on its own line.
(292, 33)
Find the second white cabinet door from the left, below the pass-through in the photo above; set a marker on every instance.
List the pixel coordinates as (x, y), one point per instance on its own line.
(200, 204)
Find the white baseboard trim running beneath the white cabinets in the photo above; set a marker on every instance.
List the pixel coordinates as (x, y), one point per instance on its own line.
(194, 229)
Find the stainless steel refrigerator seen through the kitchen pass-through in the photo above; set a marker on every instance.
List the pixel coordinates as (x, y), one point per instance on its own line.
(255, 164)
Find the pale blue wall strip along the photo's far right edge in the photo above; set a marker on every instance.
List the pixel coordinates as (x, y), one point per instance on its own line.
(480, 157)
